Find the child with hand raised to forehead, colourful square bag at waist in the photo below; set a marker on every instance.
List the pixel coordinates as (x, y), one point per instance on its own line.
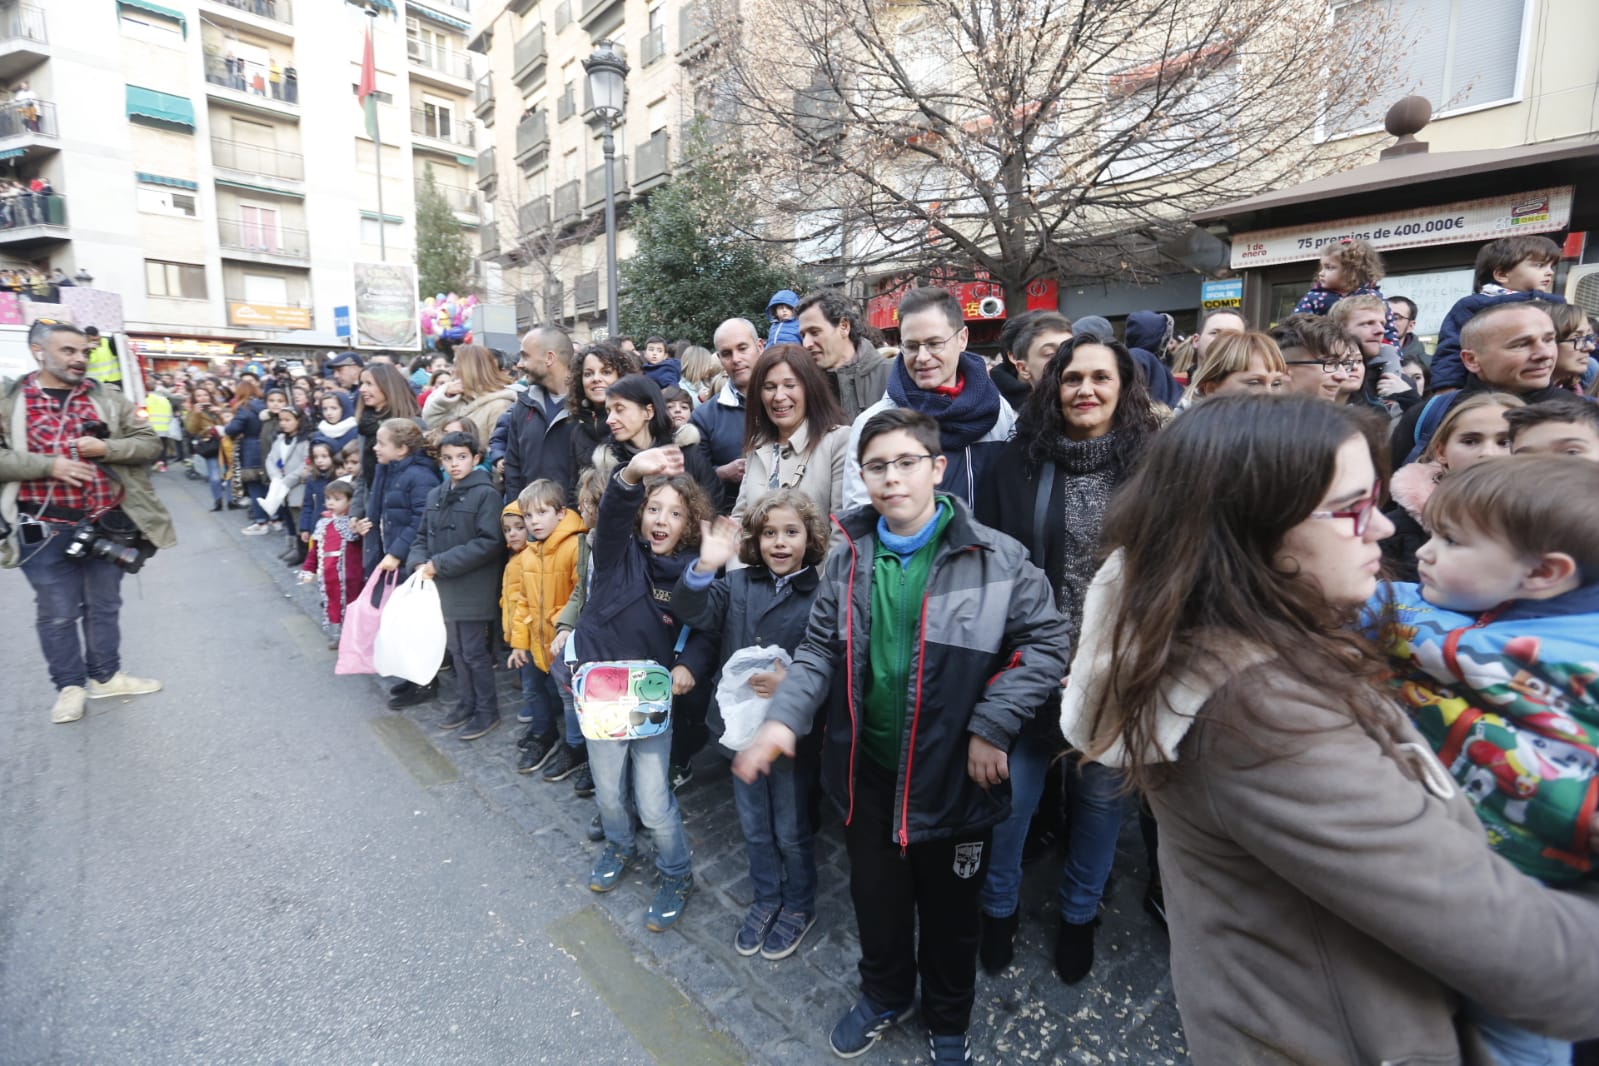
(650, 525)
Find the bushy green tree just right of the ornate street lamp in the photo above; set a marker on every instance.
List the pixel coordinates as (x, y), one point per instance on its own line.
(698, 261)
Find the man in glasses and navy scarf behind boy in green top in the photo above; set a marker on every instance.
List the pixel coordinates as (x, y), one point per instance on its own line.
(939, 378)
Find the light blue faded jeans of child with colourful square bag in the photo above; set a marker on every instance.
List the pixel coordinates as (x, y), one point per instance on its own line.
(658, 808)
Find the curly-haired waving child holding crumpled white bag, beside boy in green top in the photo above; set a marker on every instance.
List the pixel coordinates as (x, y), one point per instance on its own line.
(783, 541)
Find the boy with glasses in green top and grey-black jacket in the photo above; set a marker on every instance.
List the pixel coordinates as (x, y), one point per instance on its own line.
(931, 643)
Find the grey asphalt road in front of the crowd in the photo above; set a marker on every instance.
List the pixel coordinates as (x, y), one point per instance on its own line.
(261, 865)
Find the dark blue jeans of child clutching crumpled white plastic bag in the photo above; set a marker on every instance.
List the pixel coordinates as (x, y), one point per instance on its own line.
(776, 822)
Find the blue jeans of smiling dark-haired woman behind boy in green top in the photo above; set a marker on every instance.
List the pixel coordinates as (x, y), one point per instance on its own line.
(1091, 846)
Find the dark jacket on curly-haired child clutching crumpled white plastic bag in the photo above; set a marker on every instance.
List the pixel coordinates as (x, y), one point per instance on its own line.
(749, 611)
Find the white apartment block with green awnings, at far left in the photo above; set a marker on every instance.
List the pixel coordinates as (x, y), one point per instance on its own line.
(210, 161)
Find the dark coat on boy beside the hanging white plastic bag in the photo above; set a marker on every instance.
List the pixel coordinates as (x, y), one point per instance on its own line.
(461, 536)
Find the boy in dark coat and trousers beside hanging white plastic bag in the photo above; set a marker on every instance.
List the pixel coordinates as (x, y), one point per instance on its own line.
(460, 547)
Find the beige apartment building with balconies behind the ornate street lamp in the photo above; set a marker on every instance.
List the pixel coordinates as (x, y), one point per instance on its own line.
(541, 167)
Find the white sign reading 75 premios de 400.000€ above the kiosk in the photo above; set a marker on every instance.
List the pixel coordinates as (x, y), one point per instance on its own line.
(1541, 212)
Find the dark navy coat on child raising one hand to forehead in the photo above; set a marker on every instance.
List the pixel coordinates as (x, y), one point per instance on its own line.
(629, 608)
